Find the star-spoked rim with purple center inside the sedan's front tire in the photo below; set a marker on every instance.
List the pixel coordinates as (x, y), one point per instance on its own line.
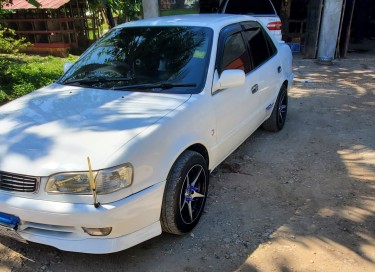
(193, 194)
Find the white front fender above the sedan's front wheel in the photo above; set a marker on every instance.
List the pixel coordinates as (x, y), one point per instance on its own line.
(153, 152)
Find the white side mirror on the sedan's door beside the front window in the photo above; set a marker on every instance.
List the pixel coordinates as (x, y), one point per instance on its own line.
(229, 79)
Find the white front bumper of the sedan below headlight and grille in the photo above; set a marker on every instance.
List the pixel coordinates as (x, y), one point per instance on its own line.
(133, 219)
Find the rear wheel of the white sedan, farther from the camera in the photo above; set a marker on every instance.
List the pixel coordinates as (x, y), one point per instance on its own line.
(278, 116)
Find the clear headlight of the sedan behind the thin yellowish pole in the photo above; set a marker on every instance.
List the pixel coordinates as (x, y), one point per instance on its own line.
(107, 181)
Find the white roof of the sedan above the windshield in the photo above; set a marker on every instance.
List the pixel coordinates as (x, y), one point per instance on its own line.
(214, 21)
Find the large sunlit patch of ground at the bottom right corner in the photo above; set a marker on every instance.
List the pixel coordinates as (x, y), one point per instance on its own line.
(306, 253)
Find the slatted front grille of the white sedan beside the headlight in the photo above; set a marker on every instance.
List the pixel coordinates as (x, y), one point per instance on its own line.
(17, 183)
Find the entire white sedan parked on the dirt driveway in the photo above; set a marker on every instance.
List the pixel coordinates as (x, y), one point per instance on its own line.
(121, 147)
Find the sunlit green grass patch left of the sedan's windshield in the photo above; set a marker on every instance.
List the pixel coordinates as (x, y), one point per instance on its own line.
(22, 74)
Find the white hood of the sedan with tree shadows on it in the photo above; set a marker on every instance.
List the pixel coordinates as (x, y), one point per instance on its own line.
(56, 128)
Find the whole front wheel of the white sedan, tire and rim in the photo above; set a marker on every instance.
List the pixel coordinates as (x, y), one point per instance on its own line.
(185, 193)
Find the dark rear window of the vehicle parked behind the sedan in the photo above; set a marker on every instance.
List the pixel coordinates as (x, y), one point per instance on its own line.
(249, 7)
